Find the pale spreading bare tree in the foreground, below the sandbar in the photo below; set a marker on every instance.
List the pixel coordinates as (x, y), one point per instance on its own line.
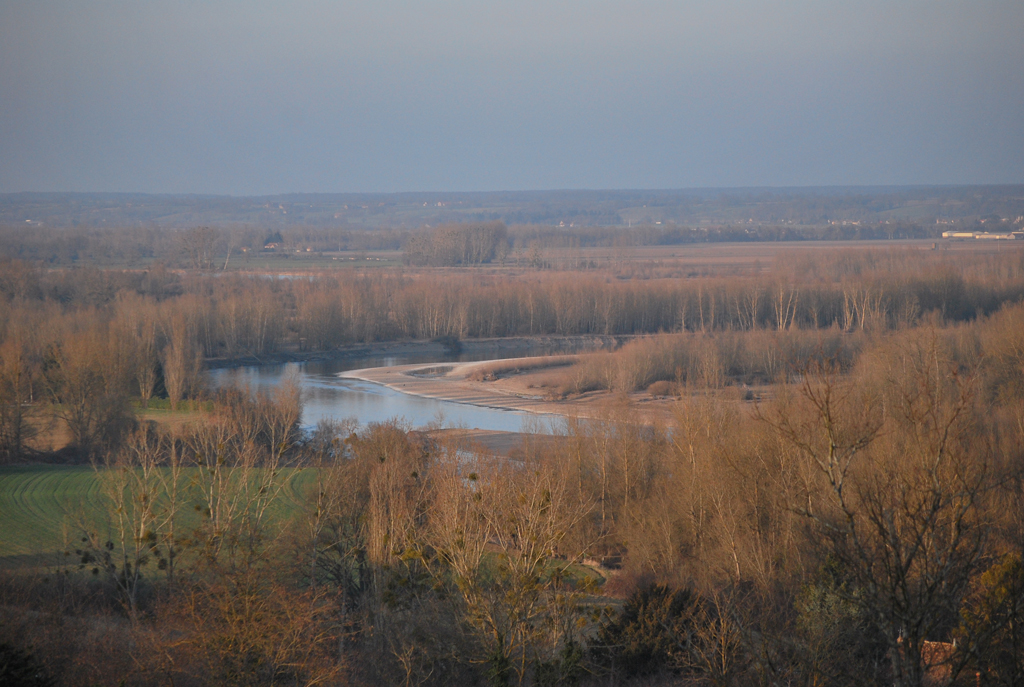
(526, 513)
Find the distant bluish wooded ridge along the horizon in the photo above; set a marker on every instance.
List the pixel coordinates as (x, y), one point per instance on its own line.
(697, 207)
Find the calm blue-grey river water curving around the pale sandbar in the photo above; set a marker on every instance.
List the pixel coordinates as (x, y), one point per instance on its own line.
(328, 396)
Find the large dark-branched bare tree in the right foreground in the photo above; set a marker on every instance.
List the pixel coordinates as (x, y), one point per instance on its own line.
(897, 494)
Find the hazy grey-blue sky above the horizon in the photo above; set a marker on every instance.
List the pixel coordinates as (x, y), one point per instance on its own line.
(257, 98)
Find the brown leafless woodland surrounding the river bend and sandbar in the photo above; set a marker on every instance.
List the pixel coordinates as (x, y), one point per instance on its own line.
(839, 499)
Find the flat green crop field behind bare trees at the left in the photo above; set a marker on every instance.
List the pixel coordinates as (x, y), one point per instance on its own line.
(40, 504)
